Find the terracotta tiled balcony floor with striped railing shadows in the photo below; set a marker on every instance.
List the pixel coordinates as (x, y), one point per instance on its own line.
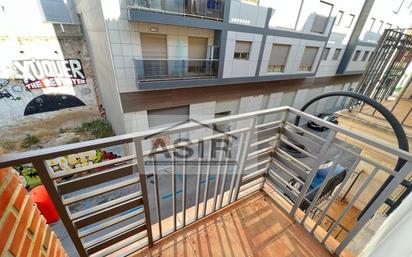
(256, 226)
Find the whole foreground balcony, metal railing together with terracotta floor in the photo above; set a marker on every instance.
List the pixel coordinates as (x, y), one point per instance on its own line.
(192, 189)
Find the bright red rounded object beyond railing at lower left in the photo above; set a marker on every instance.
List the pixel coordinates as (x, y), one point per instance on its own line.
(40, 197)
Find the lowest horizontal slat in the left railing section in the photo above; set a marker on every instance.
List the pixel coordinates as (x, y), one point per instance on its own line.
(114, 237)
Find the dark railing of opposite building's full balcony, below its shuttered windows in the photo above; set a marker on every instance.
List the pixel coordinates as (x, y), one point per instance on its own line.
(155, 69)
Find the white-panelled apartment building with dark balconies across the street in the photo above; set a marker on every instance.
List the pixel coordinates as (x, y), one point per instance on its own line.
(203, 59)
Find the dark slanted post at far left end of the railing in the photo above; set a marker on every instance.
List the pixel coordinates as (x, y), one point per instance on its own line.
(42, 171)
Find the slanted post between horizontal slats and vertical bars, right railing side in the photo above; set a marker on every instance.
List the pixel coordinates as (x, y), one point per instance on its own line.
(318, 161)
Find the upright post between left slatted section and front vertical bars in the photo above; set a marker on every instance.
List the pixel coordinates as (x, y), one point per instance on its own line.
(142, 175)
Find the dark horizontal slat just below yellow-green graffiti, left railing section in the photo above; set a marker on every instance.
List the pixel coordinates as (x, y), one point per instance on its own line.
(95, 178)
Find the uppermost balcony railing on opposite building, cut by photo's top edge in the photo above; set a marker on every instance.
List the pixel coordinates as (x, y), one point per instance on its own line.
(210, 9)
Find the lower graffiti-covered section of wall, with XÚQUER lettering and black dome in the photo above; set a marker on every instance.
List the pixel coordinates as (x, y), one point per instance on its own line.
(46, 79)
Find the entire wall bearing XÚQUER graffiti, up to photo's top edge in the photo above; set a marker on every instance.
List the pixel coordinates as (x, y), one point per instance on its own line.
(45, 65)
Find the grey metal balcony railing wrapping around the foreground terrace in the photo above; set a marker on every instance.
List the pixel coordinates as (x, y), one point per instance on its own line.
(166, 179)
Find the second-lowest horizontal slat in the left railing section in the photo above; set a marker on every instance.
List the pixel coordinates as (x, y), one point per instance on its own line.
(107, 212)
